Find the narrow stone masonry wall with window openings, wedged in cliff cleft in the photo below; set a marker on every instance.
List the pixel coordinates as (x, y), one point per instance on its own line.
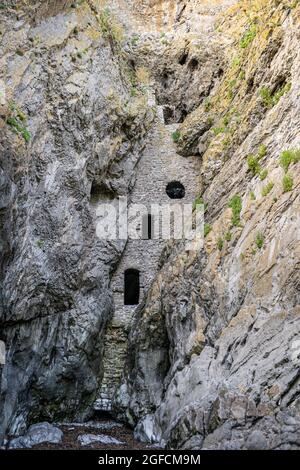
(159, 165)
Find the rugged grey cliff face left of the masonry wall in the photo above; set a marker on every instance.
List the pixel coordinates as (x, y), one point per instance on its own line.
(71, 134)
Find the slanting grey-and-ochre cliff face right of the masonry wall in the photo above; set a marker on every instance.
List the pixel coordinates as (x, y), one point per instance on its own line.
(228, 317)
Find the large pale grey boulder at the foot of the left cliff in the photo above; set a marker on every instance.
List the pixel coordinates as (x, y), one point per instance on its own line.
(37, 434)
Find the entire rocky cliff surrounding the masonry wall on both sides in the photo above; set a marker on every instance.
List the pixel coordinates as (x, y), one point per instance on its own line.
(75, 117)
